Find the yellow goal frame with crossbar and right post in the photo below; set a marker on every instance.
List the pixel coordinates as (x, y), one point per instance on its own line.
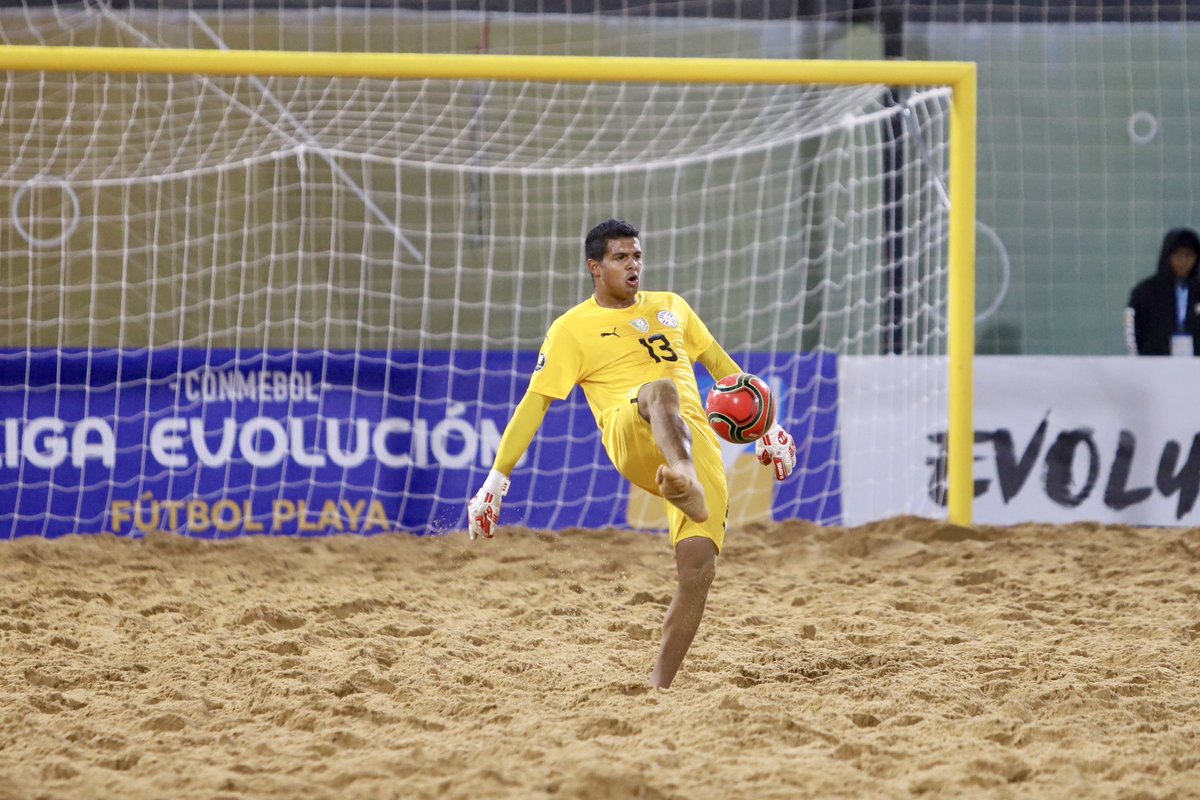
(959, 76)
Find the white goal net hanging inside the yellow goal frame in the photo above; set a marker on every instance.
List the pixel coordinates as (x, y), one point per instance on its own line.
(305, 305)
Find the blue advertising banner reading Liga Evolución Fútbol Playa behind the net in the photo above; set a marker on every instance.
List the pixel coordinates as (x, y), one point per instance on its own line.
(220, 443)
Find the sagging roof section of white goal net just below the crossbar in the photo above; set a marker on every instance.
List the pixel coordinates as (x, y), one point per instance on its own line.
(111, 129)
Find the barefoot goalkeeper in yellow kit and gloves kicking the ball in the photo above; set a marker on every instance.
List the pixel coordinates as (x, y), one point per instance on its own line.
(633, 352)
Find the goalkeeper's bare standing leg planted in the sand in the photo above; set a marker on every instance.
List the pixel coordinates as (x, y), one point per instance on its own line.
(697, 567)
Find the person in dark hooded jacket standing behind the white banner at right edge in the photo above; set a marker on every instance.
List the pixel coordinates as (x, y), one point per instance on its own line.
(1162, 316)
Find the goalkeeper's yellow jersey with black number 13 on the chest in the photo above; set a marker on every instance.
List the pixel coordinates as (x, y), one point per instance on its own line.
(610, 352)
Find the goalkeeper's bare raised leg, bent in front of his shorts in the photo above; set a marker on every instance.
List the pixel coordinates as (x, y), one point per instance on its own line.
(658, 402)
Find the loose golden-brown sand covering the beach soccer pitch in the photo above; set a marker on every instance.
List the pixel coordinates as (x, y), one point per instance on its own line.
(903, 659)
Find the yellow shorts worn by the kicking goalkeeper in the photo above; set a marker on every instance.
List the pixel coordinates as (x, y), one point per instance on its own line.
(631, 446)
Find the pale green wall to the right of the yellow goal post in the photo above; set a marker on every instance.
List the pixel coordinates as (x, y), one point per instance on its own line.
(1079, 204)
